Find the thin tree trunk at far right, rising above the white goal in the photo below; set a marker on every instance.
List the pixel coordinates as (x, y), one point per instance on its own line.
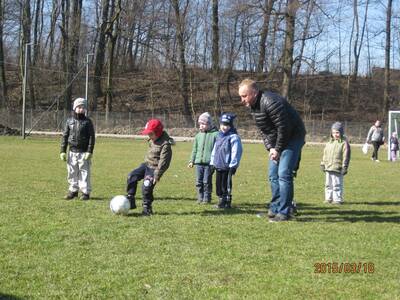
(386, 91)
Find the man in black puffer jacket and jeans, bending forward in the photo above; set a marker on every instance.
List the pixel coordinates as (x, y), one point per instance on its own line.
(283, 134)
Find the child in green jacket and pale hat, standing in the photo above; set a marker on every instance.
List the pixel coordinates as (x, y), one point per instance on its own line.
(201, 155)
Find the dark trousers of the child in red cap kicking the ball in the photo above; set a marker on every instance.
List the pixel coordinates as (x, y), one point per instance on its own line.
(146, 173)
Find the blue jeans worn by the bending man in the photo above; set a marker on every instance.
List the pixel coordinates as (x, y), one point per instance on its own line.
(281, 177)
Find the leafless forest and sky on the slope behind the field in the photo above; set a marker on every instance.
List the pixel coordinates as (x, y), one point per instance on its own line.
(329, 58)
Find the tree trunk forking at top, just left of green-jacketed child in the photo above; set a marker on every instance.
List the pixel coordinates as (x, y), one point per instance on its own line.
(183, 78)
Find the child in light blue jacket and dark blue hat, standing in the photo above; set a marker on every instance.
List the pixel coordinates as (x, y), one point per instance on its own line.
(225, 158)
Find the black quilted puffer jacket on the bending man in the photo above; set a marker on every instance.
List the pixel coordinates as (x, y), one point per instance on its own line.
(277, 120)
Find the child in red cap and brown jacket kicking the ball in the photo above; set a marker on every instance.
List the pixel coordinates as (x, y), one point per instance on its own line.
(157, 161)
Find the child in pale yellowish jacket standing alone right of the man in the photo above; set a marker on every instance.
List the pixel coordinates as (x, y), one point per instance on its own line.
(335, 164)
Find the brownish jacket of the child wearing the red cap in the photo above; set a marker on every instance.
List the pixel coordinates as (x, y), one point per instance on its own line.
(159, 155)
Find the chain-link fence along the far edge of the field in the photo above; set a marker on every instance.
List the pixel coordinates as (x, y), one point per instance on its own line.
(130, 123)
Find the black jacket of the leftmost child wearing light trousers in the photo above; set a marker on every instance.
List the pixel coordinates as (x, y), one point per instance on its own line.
(78, 134)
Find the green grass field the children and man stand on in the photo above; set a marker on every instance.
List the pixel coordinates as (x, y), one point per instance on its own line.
(57, 249)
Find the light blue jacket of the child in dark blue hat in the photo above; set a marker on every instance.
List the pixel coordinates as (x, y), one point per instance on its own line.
(227, 150)
